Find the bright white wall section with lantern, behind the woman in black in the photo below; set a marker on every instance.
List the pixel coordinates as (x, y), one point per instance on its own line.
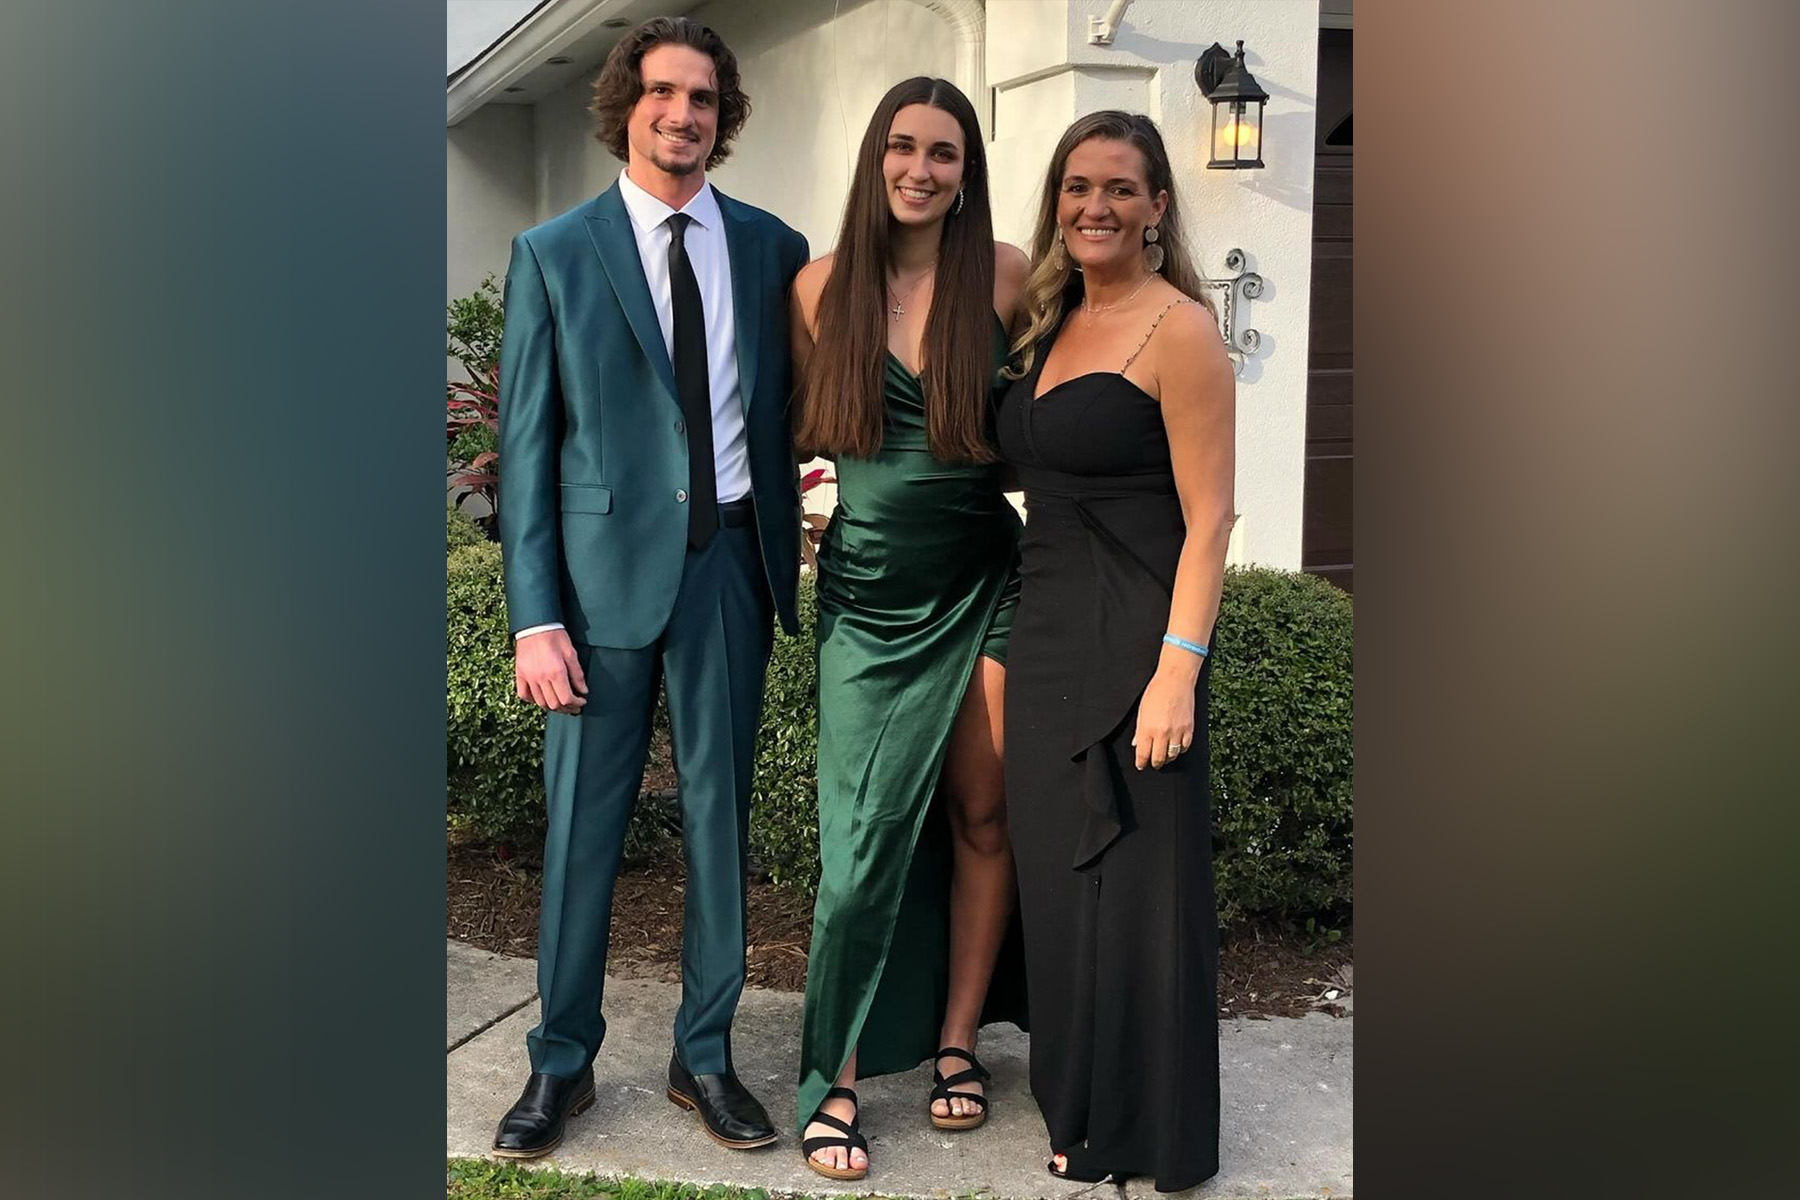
(1045, 75)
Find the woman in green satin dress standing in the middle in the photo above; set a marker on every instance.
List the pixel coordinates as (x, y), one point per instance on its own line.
(899, 336)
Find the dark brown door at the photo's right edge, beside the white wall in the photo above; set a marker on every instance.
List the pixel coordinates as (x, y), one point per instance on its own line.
(1326, 539)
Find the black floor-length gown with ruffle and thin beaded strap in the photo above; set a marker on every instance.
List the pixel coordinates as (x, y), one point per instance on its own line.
(1115, 864)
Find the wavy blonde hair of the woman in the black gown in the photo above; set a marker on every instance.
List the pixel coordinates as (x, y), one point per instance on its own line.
(1052, 287)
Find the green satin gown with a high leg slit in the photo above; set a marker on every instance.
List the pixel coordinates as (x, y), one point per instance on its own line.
(919, 577)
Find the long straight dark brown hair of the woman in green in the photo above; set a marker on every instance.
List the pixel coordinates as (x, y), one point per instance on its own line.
(841, 406)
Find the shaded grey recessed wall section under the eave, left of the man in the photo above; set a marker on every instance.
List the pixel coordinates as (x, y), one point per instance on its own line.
(492, 193)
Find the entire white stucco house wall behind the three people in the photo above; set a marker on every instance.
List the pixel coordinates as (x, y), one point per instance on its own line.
(814, 84)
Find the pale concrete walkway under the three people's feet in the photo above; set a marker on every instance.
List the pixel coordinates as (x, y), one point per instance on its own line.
(1284, 1084)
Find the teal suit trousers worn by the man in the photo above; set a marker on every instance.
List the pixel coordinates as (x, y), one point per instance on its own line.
(714, 656)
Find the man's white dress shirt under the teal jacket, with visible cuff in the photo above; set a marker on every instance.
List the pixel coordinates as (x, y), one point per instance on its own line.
(712, 269)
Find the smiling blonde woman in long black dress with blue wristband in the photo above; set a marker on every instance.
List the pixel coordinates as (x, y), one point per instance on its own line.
(1120, 425)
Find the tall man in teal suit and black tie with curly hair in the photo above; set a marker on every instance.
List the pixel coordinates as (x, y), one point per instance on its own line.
(651, 526)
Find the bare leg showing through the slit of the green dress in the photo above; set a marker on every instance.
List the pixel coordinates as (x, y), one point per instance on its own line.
(982, 886)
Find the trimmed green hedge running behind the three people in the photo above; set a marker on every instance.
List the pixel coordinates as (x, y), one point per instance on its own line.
(1281, 742)
